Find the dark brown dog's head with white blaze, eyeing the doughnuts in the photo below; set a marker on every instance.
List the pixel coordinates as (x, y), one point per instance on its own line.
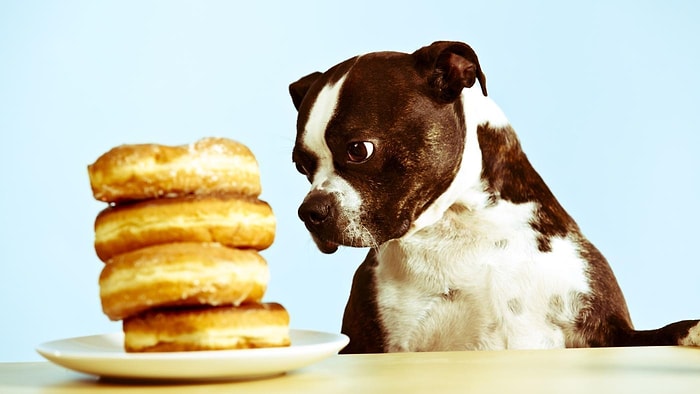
(380, 137)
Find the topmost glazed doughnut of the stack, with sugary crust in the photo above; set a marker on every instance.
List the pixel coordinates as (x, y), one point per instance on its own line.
(143, 171)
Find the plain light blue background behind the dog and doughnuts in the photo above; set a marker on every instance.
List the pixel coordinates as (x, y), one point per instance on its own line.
(604, 94)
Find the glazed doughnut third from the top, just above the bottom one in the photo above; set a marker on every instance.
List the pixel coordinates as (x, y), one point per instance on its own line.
(181, 274)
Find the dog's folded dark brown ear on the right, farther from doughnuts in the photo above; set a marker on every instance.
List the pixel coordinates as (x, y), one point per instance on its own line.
(450, 67)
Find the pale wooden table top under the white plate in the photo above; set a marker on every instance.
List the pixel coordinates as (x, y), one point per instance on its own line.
(615, 370)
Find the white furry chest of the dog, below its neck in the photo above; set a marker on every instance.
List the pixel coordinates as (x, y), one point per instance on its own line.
(476, 280)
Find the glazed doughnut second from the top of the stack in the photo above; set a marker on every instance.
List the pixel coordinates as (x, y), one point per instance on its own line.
(235, 221)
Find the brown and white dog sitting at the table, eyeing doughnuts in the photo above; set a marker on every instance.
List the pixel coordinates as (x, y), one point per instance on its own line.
(468, 247)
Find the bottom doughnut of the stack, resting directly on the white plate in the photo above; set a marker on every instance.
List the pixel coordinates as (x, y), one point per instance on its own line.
(207, 328)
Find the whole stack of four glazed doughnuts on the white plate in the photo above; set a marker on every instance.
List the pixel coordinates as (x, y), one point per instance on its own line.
(180, 240)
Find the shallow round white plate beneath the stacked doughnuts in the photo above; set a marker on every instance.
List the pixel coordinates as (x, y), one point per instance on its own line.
(104, 355)
